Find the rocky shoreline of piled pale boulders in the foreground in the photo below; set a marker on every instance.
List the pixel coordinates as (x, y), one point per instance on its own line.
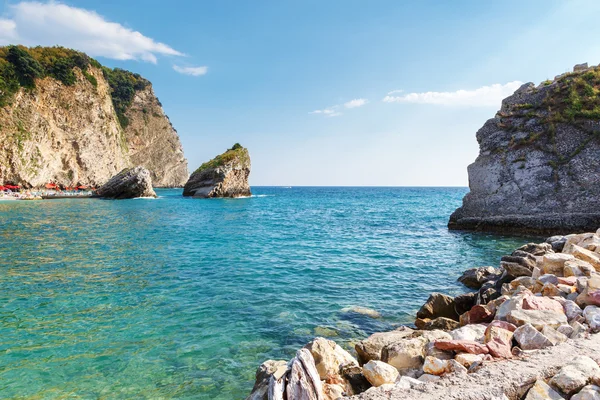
(529, 331)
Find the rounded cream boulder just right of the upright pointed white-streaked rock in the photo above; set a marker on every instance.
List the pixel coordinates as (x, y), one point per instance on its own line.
(329, 357)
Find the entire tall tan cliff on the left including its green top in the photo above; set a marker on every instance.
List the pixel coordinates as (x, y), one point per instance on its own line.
(66, 119)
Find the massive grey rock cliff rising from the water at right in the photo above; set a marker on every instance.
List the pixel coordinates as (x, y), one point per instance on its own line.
(538, 169)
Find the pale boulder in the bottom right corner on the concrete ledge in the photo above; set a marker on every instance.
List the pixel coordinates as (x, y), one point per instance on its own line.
(578, 372)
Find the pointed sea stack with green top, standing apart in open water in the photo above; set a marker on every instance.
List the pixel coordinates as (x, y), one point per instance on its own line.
(226, 175)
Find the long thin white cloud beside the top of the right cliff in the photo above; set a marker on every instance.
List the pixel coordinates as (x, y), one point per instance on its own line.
(485, 96)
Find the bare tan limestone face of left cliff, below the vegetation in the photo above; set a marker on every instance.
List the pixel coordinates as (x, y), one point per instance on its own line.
(70, 135)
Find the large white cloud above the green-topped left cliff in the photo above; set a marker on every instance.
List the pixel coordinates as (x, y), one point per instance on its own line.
(49, 24)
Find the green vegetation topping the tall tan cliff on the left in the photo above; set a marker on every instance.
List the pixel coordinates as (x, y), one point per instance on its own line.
(21, 66)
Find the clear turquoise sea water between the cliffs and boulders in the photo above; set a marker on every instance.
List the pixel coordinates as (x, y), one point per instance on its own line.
(183, 298)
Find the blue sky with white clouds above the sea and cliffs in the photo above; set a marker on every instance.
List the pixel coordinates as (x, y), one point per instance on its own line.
(326, 92)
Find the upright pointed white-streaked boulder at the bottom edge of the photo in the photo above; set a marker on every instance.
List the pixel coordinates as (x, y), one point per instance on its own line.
(304, 382)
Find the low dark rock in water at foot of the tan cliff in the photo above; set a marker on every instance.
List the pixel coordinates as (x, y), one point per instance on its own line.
(128, 184)
